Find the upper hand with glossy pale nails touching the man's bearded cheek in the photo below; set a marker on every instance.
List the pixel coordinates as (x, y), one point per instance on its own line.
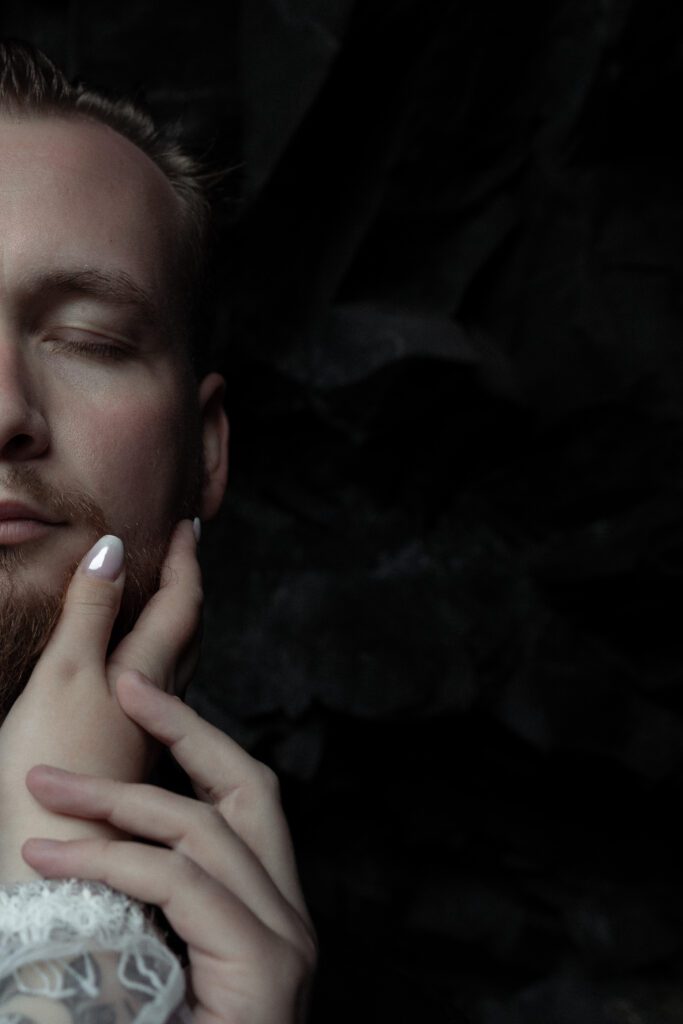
(69, 714)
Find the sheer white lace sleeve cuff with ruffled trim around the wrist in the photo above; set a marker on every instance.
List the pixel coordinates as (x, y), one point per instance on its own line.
(80, 952)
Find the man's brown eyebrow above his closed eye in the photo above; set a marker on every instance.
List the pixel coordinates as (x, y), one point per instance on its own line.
(115, 288)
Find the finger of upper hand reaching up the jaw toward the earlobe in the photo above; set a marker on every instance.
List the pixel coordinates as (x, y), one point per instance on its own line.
(164, 643)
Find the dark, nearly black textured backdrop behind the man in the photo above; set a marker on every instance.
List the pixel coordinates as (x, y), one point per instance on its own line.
(444, 595)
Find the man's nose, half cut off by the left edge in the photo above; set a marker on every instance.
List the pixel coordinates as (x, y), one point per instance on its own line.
(24, 432)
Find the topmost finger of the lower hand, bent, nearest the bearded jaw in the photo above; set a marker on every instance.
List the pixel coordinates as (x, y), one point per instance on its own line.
(243, 791)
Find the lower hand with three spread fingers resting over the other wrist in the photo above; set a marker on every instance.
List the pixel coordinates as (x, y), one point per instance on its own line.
(226, 877)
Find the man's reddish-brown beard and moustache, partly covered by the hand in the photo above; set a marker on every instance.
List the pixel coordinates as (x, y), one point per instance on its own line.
(28, 615)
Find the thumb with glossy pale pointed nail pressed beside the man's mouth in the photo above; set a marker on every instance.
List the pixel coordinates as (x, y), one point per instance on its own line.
(93, 603)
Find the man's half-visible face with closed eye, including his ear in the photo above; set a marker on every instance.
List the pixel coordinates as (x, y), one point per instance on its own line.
(101, 429)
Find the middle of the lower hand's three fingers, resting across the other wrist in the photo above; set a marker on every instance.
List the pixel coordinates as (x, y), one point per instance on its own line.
(191, 828)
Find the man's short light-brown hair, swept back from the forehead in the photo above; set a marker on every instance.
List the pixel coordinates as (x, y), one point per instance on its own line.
(31, 86)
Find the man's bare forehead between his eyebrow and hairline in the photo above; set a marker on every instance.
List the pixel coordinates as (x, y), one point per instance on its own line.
(77, 194)
